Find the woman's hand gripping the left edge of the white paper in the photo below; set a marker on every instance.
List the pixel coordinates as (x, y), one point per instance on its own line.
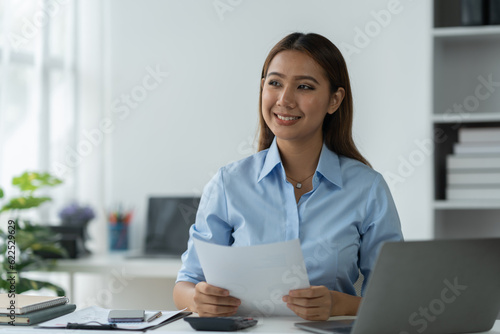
(212, 301)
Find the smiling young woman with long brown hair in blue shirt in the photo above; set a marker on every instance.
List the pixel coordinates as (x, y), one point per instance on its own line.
(308, 181)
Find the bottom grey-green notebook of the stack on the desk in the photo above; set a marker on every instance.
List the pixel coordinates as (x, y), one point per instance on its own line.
(36, 317)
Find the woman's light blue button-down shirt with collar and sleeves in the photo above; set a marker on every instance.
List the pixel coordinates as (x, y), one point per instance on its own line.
(341, 223)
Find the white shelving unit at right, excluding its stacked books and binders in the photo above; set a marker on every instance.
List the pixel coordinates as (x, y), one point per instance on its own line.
(463, 59)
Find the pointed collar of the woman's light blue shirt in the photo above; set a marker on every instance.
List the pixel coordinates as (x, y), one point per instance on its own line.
(328, 165)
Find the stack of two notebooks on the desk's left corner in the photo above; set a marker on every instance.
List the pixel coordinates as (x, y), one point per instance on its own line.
(25, 310)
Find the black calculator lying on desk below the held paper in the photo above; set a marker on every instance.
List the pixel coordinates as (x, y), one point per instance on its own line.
(220, 323)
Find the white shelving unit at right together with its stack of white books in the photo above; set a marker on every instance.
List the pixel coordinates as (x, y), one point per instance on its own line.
(466, 95)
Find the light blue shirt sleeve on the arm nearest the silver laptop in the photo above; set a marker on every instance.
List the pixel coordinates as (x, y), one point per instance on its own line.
(381, 224)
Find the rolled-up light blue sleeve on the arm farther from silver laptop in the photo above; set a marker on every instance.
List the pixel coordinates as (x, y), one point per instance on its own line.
(211, 225)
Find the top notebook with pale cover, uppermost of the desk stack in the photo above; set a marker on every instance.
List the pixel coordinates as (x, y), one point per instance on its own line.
(22, 304)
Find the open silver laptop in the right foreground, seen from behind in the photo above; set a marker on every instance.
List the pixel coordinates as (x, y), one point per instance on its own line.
(440, 286)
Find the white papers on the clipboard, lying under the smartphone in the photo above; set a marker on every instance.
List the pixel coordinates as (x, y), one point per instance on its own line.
(96, 315)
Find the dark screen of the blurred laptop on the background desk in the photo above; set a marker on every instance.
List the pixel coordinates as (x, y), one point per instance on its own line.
(169, 220)
